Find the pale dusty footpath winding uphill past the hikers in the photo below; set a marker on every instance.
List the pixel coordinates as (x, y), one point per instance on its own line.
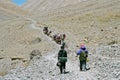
(71, 66)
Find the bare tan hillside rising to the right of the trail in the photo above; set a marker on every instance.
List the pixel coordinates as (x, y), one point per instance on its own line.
(92, 22)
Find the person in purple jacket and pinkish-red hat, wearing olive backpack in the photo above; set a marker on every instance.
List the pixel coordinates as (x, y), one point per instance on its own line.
(83, 54)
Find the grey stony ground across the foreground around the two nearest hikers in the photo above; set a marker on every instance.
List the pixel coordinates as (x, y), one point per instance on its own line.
(44, 68)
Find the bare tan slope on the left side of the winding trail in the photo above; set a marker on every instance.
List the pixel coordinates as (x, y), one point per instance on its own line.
(18, 37)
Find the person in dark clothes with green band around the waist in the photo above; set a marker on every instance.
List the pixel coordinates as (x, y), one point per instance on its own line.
(62, 59)
